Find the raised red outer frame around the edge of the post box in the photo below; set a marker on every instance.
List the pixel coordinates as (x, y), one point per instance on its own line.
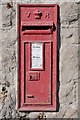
(21, 105)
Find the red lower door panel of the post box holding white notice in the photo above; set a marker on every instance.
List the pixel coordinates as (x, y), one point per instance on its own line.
(38, 72)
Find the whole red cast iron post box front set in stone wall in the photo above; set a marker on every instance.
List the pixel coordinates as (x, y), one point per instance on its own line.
(37, 30)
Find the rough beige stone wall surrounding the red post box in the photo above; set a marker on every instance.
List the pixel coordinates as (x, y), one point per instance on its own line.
(68, 61)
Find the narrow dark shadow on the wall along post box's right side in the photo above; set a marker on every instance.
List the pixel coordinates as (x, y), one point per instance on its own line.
(58, 58)
